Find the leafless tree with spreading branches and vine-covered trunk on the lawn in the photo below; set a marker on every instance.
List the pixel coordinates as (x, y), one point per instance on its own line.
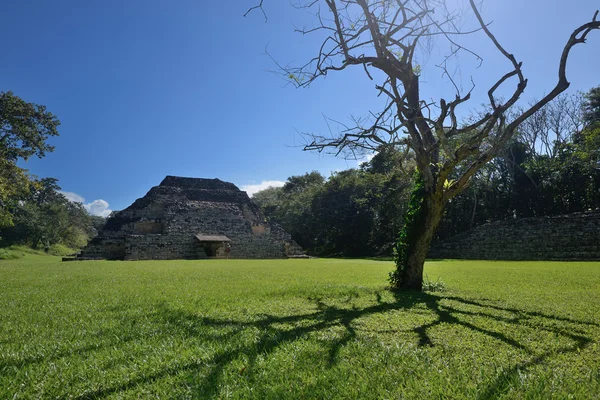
(384, 36)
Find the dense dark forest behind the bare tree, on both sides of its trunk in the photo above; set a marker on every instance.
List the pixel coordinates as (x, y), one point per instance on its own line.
(551, 167)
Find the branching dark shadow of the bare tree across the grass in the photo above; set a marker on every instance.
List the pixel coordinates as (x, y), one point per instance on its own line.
(275, 331)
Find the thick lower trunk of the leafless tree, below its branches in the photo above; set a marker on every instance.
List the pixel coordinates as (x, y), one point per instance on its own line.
(410, 270)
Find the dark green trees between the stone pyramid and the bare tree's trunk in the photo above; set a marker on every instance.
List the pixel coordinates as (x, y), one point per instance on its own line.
(354, 213)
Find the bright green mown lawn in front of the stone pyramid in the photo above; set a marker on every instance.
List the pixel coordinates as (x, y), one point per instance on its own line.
(297, 329)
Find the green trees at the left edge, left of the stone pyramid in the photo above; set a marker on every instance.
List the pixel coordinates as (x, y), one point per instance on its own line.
(32, 210)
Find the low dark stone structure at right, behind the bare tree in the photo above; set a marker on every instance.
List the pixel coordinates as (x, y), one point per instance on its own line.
(565, 237)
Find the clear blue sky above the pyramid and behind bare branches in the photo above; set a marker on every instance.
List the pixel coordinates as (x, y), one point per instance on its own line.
(151, 88)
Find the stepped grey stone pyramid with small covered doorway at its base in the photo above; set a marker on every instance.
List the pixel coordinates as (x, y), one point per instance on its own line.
(191, 218)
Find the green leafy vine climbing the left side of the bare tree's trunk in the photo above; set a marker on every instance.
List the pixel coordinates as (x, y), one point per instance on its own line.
(410, 231)
